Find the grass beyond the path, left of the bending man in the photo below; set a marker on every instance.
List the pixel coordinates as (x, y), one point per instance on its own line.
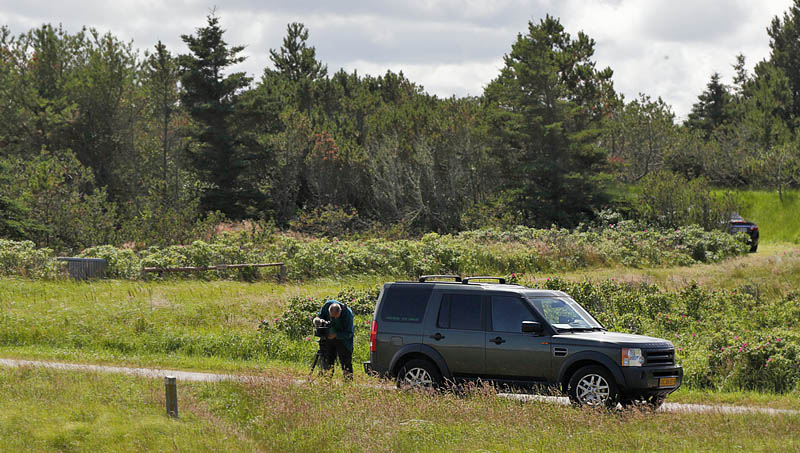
(192, 323)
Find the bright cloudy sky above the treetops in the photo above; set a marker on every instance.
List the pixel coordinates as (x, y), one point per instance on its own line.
(666, 48)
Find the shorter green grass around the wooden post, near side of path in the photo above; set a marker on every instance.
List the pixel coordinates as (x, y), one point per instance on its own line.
(46, 410)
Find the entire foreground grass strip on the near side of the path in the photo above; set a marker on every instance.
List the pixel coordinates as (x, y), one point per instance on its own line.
(45, 410)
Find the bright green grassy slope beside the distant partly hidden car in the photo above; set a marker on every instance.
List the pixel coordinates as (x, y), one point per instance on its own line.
(777, 220)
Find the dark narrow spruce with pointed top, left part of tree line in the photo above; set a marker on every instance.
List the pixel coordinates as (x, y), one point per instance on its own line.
(211, 98)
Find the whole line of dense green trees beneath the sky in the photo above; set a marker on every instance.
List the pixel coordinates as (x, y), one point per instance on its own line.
(102, 144)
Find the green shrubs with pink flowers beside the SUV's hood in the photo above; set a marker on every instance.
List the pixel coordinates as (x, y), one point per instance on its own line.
(727, 340)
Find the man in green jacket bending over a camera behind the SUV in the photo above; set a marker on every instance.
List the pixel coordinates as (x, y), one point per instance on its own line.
(340, 338)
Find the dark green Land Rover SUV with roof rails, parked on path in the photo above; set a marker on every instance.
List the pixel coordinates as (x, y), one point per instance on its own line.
(433, 332)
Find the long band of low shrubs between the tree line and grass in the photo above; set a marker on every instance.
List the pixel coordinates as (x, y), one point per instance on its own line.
(487, 251)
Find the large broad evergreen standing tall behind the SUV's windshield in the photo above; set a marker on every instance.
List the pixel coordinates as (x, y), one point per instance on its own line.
(546, 111)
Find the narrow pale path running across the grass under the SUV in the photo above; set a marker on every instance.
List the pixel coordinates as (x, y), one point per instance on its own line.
(215, 377)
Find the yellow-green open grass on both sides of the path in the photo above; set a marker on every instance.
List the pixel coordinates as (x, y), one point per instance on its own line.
(212, 326)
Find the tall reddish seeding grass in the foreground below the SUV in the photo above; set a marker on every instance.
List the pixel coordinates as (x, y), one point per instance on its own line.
(282, 416)
